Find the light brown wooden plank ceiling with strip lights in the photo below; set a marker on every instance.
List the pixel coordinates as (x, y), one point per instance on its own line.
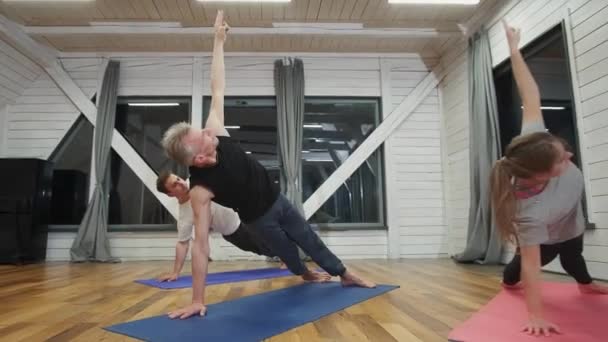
(192, 13)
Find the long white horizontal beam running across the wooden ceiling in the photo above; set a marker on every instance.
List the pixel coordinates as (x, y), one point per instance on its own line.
(243, 31)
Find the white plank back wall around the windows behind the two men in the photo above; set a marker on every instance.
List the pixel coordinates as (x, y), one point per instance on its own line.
(420, 225)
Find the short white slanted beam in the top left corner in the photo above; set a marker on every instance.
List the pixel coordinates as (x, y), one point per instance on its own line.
(15, 36)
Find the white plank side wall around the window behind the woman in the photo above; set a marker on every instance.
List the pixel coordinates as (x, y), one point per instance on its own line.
(589, 23)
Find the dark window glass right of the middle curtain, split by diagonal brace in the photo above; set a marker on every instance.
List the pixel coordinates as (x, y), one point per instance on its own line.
(333, 130)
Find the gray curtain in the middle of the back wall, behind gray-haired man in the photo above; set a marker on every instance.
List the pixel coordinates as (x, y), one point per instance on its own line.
(289, 89)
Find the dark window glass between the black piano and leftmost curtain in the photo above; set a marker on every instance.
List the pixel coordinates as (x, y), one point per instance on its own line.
(71, 174)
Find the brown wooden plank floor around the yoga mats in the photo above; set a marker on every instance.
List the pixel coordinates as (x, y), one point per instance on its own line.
(72, 302)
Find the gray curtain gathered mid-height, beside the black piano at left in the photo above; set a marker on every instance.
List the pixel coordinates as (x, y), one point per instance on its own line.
(91, 243)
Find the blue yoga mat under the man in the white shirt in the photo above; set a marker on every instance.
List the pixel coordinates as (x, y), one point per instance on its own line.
(219, 278)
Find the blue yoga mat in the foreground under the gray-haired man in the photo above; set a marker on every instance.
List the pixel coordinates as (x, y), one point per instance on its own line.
(253, 318)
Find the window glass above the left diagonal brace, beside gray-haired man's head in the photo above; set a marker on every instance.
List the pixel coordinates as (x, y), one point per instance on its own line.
(143, 121)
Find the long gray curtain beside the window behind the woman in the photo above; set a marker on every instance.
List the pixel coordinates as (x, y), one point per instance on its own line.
(483, 243)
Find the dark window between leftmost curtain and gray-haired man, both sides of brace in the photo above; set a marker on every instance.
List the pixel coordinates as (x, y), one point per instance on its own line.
(142, 121)
